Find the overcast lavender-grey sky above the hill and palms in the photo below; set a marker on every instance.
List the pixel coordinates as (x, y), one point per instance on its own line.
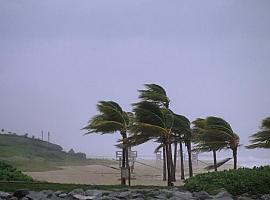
(59, 57)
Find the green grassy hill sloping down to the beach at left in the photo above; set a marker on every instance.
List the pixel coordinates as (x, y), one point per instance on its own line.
(30, 154)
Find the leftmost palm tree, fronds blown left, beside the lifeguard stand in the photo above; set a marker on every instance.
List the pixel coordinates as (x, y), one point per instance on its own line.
(110, 120)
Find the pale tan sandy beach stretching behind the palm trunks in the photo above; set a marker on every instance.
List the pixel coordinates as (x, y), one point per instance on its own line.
(146, 172)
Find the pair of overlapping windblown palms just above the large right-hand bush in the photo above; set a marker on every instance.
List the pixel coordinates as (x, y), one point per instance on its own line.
(213, 134)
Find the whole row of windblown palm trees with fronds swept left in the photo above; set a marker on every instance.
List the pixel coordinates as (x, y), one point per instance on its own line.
(152, 119)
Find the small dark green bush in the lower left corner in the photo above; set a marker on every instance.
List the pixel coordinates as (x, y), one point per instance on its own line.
(10, 173)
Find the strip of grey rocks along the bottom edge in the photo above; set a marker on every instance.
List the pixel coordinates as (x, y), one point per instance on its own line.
(125, 194)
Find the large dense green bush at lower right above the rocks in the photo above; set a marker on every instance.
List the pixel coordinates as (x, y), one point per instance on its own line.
(244, 180)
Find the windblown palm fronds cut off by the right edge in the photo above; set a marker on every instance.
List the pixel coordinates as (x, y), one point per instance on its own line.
(261, 139)
